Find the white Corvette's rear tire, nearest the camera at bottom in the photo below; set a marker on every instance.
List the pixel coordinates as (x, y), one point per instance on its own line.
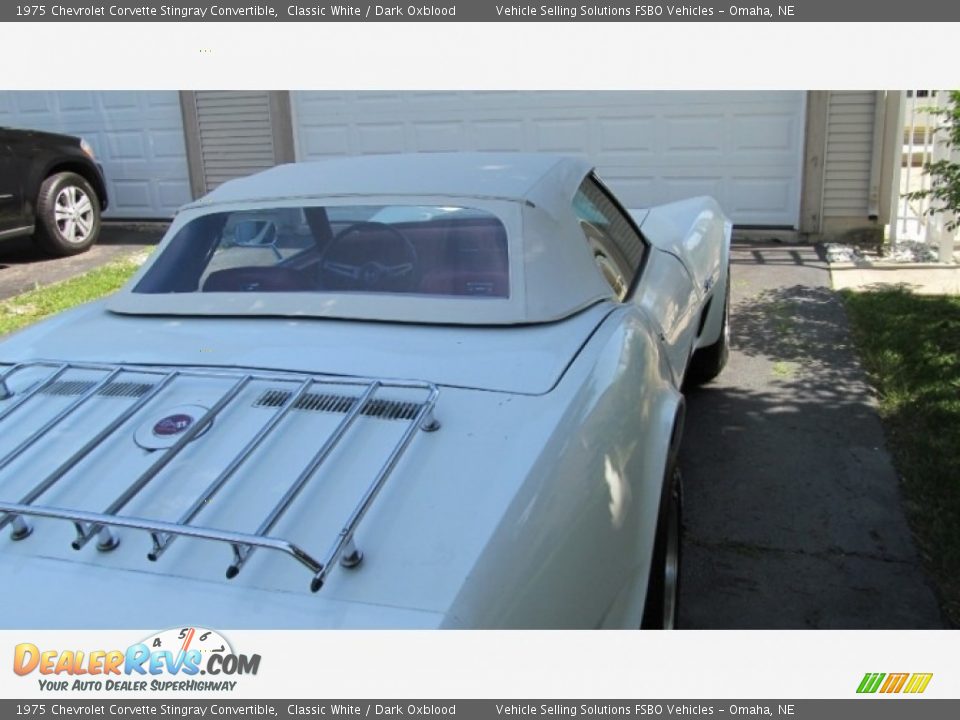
(663, 587)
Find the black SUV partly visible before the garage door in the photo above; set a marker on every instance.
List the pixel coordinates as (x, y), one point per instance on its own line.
(52, 188)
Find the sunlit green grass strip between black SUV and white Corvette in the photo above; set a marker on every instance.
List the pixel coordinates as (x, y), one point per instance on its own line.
(28, 308)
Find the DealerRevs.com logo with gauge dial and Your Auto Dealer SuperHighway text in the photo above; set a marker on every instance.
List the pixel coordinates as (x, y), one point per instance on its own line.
(180, 659)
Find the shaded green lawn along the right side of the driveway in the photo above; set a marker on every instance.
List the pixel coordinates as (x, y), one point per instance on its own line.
(910, 347)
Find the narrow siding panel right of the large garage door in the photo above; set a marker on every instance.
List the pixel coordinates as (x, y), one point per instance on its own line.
(848, 155)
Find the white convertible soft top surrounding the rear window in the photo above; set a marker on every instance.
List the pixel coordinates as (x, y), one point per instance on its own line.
(551, 269)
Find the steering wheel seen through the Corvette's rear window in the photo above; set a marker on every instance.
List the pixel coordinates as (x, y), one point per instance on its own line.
(366, 263)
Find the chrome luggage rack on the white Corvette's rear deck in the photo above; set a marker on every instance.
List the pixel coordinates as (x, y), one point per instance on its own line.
(418, 416)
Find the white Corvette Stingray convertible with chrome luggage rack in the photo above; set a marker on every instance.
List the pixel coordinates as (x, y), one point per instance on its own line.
(437, 390)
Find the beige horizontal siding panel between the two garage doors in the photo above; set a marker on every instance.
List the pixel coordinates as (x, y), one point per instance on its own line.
(235, 133)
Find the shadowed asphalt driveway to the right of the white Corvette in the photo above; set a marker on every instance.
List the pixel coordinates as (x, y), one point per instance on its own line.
(793, 511)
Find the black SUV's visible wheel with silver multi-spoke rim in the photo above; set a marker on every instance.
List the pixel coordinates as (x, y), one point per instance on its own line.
(68, 215)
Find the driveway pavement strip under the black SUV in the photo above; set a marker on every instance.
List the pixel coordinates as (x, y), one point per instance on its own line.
(23, 267)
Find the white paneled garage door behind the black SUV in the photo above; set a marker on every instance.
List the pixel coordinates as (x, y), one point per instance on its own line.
(137, 137)
